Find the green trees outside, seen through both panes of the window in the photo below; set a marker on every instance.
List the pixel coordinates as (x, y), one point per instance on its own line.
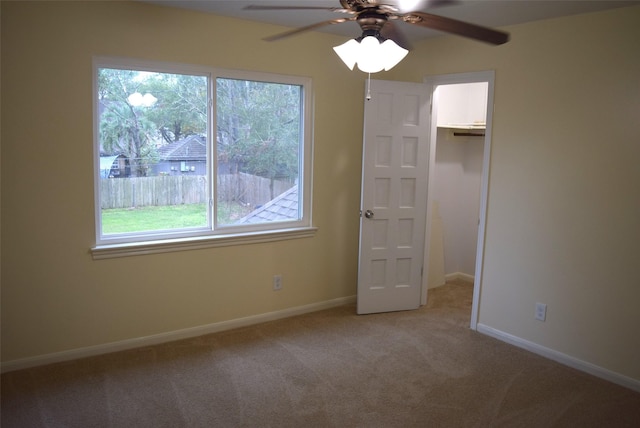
(258, 123)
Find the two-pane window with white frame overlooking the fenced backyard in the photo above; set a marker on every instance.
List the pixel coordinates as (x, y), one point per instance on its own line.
(184, 153)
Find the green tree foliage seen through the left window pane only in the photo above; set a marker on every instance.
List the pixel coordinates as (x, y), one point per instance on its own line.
(173, 106)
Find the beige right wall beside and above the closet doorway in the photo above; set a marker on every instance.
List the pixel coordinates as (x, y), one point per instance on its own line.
(564, 197)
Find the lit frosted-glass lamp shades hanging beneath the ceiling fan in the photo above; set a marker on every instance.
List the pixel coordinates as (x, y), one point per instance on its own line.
(370, 55)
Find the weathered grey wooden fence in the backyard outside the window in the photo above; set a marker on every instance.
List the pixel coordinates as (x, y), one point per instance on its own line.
(186, 189)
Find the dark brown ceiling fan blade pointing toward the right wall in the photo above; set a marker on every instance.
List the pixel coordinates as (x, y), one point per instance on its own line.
(454, 26)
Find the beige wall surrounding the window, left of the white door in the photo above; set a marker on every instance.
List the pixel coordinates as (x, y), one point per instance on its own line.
(55, 297)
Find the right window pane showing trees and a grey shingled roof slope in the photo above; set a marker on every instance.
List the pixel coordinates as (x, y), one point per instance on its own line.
(259, 141)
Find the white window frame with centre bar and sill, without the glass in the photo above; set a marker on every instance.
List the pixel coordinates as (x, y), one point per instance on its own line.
(109, 246)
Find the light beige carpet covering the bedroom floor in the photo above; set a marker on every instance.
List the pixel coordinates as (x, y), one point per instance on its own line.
(332, 368)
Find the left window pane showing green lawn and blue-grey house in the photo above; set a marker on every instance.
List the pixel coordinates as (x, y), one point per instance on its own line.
(153, 151)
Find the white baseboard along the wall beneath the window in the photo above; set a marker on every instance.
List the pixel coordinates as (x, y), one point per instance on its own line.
(156, 339)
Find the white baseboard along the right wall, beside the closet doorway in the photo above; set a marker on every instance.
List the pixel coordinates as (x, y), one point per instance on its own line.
(561, 358)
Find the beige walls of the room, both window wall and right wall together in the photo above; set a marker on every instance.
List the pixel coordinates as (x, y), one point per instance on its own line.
(563, 218)
